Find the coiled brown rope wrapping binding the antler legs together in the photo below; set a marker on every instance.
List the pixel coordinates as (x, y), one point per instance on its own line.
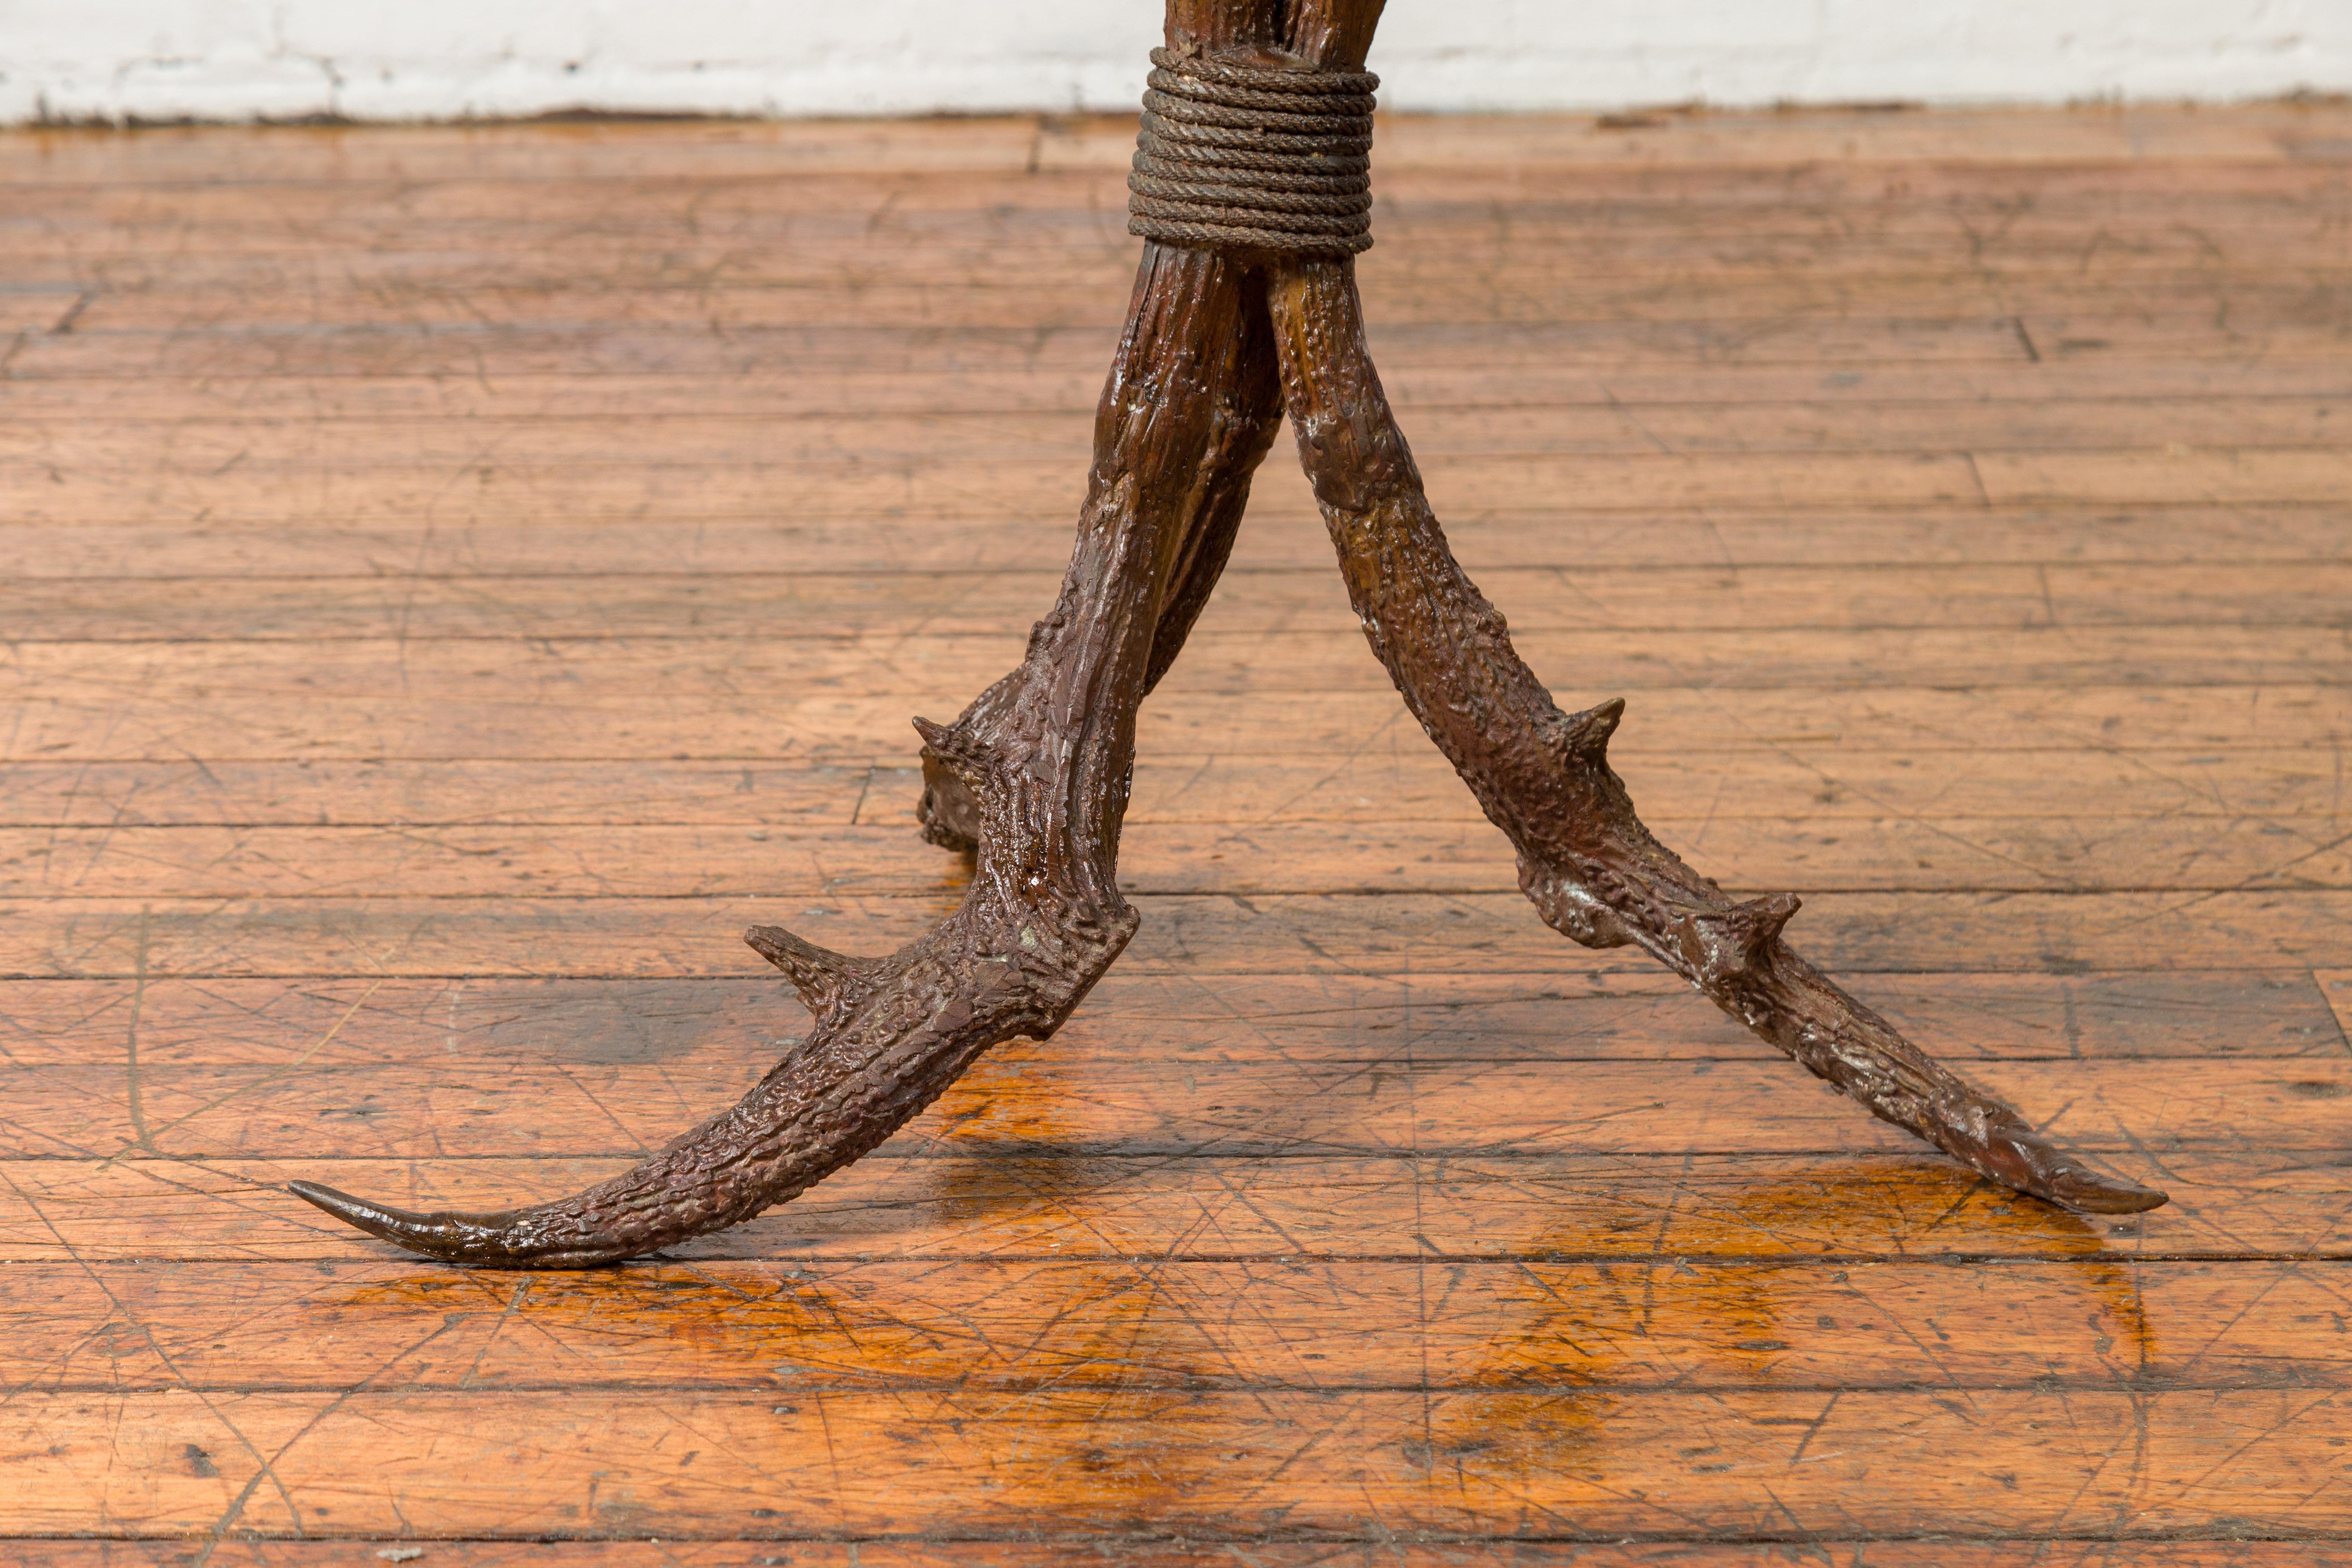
(1243, 159)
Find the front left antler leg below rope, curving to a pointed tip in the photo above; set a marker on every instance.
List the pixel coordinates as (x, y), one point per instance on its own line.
(1041, 768)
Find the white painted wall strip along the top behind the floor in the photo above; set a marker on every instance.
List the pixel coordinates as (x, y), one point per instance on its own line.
(406, 60)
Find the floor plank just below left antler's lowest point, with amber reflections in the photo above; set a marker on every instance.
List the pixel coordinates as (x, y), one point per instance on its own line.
(1330, 1325)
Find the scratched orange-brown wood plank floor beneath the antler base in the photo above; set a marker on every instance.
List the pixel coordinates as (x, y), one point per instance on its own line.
(455, 579)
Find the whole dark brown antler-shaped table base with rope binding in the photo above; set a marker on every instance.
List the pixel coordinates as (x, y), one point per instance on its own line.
(1238, 319)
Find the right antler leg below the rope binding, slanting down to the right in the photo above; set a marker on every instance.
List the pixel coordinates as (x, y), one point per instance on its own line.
(1544, 777)
